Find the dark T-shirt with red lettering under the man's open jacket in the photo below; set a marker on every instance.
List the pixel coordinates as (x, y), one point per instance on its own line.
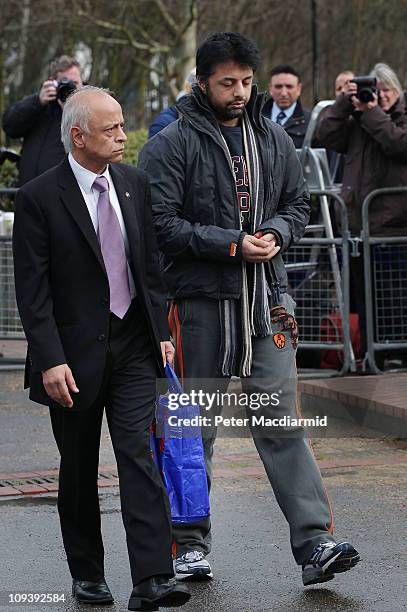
(234, 140)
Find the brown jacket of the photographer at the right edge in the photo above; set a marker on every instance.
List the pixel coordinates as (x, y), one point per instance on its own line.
(375, 144)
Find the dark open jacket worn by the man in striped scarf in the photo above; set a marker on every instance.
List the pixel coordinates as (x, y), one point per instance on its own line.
(195, 204)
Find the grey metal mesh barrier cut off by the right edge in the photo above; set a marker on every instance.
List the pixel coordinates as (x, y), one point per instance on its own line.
(385, 270)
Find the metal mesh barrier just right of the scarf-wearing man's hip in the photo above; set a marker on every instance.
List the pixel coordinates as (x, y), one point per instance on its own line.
(318, 275)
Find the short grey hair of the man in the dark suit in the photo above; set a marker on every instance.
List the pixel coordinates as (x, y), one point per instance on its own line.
(76, 114)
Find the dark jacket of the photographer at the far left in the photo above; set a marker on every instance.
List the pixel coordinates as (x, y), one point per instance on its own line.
(40, 128)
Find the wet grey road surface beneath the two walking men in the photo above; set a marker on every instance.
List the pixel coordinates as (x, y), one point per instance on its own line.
(253, 567)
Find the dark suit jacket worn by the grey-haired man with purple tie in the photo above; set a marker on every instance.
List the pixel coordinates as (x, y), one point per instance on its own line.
(61, 282)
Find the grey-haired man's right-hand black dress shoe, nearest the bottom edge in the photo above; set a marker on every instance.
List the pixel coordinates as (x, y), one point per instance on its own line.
(158, 591)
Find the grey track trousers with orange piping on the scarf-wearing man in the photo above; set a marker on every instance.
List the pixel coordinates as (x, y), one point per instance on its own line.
(288, 461)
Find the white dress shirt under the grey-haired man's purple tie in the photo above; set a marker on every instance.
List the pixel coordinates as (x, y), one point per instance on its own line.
(85, 179)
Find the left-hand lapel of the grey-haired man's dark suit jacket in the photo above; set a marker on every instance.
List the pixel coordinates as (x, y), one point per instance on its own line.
(72, 198)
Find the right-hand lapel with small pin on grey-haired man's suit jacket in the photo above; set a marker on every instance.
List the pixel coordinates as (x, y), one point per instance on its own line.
(127, 199)
